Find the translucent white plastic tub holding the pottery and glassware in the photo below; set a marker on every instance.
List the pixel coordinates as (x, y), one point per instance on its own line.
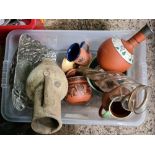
(60, 40)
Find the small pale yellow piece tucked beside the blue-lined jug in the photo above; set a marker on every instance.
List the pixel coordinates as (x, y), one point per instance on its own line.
(67, 65)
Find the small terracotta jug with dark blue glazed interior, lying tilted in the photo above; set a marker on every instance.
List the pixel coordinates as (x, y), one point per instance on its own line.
(80, 54)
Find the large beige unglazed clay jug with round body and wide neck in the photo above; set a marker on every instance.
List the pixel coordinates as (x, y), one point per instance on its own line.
(46, 86)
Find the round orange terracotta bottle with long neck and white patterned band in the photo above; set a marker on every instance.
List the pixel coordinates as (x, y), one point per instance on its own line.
(117, 54)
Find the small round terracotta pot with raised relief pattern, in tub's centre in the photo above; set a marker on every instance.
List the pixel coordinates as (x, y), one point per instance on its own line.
(79, 91)
